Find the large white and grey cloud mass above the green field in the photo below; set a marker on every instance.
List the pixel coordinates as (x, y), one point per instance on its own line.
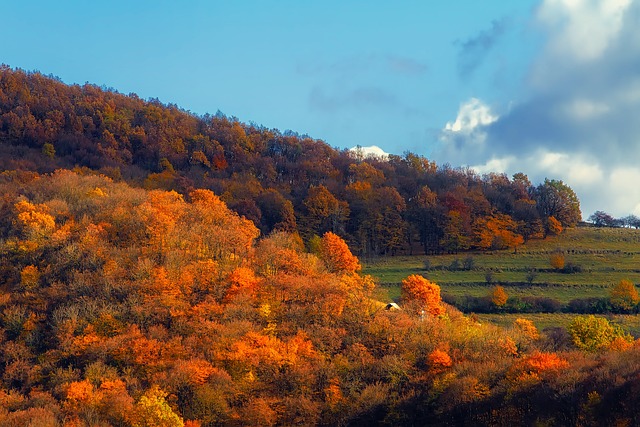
(577, 117)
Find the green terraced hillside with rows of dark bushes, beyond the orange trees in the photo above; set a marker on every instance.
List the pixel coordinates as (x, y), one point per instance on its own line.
(595, 260)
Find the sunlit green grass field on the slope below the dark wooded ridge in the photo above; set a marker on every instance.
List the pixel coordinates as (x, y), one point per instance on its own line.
(604, 255)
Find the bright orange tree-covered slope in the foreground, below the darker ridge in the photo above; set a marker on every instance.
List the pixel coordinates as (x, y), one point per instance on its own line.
(125, 306)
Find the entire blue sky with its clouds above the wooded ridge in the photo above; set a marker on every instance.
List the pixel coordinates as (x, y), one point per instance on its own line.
(550, 88)
